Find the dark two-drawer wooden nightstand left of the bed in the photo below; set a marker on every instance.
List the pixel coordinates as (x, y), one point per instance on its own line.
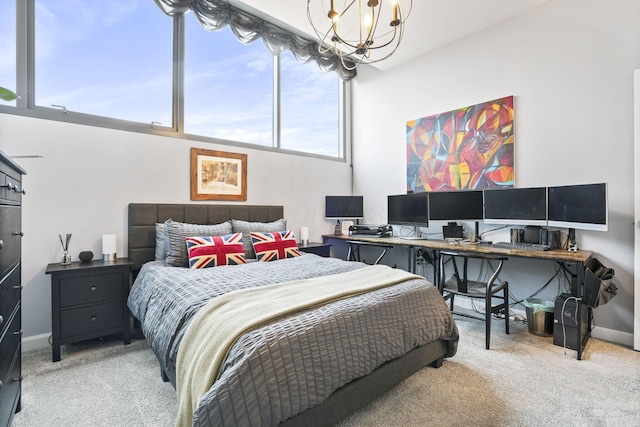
(89, 300)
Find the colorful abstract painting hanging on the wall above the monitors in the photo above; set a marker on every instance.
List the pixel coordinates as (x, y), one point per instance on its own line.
(464, 149)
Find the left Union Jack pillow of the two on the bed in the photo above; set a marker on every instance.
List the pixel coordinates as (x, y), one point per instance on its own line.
(212, 251)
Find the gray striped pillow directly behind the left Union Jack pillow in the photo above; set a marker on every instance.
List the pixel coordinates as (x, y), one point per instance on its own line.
(177, 255)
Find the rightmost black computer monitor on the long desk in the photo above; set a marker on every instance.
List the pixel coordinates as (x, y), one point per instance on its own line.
(583, 207)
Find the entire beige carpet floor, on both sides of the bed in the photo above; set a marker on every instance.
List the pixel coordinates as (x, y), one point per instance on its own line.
(524, 380)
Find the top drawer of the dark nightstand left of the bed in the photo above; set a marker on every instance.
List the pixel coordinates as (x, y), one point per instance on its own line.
(88, 289)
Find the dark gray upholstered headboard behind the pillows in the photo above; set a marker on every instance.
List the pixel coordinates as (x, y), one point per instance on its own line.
(144, 216)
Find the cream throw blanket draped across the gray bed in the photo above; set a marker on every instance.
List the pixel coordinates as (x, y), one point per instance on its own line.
(215, 328)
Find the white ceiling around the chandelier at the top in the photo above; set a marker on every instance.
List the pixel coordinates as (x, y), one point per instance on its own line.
(432, 23)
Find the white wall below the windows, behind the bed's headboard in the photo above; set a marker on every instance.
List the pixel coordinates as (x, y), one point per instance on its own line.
(88, 176)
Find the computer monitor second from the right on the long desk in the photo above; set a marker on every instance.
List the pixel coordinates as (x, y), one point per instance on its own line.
(516, 206)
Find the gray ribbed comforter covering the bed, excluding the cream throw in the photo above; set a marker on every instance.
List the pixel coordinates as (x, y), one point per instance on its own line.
(286, 367)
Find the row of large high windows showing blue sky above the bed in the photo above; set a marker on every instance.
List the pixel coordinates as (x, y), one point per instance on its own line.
(127, 65)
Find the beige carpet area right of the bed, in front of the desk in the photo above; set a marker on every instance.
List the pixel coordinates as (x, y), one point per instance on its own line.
(524, 380)
